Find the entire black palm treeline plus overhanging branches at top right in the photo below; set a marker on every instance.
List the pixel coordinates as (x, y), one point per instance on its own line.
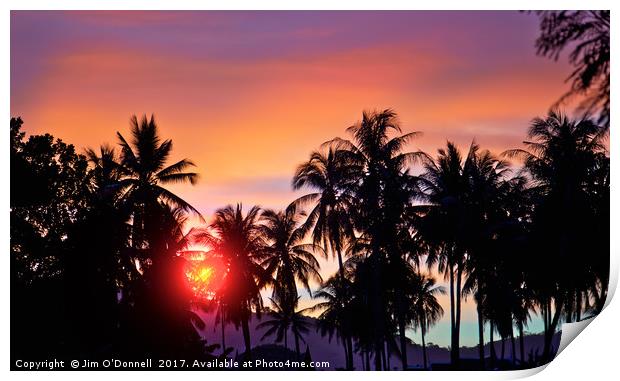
(98, 241)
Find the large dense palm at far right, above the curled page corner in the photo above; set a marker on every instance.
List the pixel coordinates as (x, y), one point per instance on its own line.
(560, 158)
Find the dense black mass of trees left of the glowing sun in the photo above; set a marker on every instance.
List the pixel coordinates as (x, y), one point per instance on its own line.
(94, 242)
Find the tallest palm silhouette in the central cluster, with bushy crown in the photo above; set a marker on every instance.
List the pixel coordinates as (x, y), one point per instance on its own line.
(382, 189)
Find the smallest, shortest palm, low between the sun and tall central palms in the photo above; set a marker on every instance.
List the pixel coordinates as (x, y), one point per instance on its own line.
(282, 317)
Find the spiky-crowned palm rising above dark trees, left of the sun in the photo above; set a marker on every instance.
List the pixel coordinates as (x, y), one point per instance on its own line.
(144, 173)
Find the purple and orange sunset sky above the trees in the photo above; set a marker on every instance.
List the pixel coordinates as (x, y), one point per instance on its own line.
(248, 95)
